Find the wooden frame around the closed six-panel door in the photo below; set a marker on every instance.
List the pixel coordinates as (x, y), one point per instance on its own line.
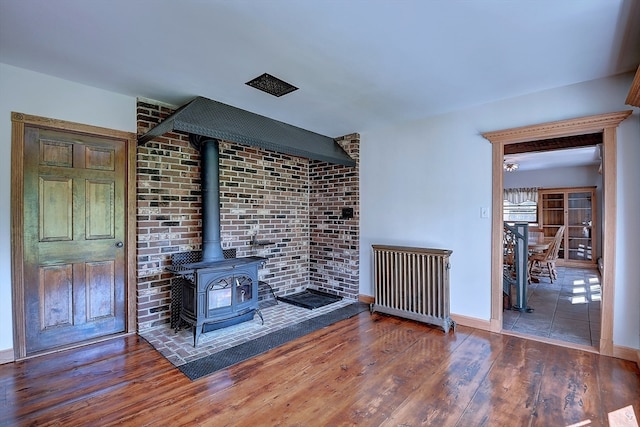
(18, 123)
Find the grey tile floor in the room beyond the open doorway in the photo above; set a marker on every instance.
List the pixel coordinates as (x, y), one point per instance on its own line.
(567, 310)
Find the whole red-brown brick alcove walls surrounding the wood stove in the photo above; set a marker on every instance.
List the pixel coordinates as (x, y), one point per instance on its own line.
(290, 206)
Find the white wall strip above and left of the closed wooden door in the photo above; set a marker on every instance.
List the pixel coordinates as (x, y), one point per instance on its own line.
(41, 95)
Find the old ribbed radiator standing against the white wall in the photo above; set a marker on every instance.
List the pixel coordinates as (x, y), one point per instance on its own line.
(412, 283)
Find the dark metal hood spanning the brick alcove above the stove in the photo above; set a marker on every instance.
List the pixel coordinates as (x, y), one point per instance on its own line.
(209, 118)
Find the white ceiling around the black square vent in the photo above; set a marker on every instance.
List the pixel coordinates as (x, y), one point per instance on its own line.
(358, 64)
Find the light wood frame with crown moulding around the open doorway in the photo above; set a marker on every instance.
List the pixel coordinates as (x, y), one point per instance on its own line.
(604, 123)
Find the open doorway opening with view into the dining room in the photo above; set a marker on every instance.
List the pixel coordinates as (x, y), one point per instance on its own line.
(551, 184)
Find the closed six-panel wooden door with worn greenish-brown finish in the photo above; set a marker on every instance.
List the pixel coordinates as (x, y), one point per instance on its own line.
(74, 234)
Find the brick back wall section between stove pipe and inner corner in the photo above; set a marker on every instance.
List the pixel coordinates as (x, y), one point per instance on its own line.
(264, 199)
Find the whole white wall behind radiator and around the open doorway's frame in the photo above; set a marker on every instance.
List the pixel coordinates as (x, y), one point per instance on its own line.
(423, 184)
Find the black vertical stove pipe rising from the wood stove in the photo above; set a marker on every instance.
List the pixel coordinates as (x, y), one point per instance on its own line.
(210, 186)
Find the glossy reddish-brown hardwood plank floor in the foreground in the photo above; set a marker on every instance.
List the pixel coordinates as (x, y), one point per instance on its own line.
(367, 370)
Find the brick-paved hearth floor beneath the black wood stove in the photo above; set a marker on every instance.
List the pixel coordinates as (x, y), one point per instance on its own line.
(178, 346)
